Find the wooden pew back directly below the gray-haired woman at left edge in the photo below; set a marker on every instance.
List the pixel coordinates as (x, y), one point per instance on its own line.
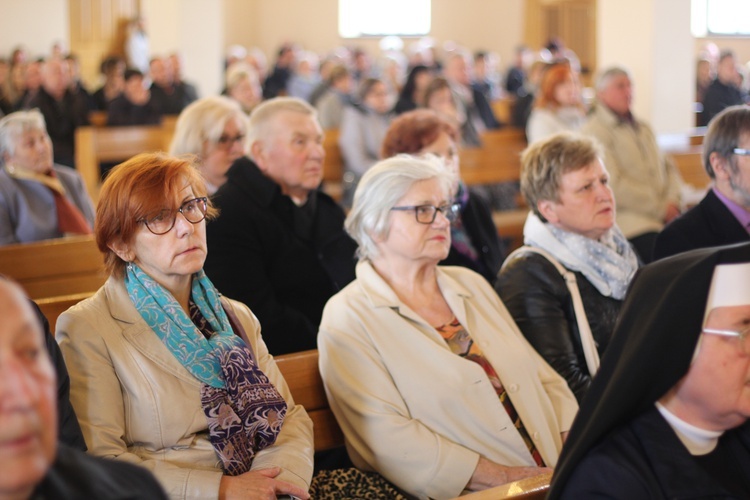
(52, 268)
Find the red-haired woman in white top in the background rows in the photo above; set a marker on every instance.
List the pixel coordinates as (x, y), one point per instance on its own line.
(558, 105)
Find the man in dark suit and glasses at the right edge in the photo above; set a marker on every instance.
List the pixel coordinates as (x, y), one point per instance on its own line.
(723, 216)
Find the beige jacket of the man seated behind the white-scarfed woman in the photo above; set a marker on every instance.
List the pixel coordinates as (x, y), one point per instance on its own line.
(643, 181)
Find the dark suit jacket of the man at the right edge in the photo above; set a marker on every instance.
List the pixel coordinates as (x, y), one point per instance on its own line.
(708, 224)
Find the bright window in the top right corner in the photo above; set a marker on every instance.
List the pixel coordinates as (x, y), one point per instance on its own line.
(720, 17)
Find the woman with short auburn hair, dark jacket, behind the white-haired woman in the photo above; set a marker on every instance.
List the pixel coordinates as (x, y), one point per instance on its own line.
(474, 240)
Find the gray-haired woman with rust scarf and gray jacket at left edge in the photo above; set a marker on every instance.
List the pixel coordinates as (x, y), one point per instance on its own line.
(39, 200)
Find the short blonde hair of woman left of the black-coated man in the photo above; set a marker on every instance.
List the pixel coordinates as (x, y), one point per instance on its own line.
(204, 120)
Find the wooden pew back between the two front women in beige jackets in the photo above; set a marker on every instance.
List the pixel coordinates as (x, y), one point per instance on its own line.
(301, 373)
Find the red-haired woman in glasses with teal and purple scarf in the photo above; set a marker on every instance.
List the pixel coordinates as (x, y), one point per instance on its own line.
(164, 371)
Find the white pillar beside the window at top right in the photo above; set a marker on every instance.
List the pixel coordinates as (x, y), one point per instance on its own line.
(663, 75)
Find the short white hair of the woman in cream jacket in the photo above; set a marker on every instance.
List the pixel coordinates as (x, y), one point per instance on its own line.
(381, 188)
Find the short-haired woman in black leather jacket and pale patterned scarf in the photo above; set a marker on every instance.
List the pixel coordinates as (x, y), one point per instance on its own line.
(565, 287)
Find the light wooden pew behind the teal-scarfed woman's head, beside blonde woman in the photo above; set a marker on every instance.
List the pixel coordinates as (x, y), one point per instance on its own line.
(113, 144)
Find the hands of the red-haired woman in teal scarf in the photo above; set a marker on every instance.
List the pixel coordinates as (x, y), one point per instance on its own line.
(259, 484)
